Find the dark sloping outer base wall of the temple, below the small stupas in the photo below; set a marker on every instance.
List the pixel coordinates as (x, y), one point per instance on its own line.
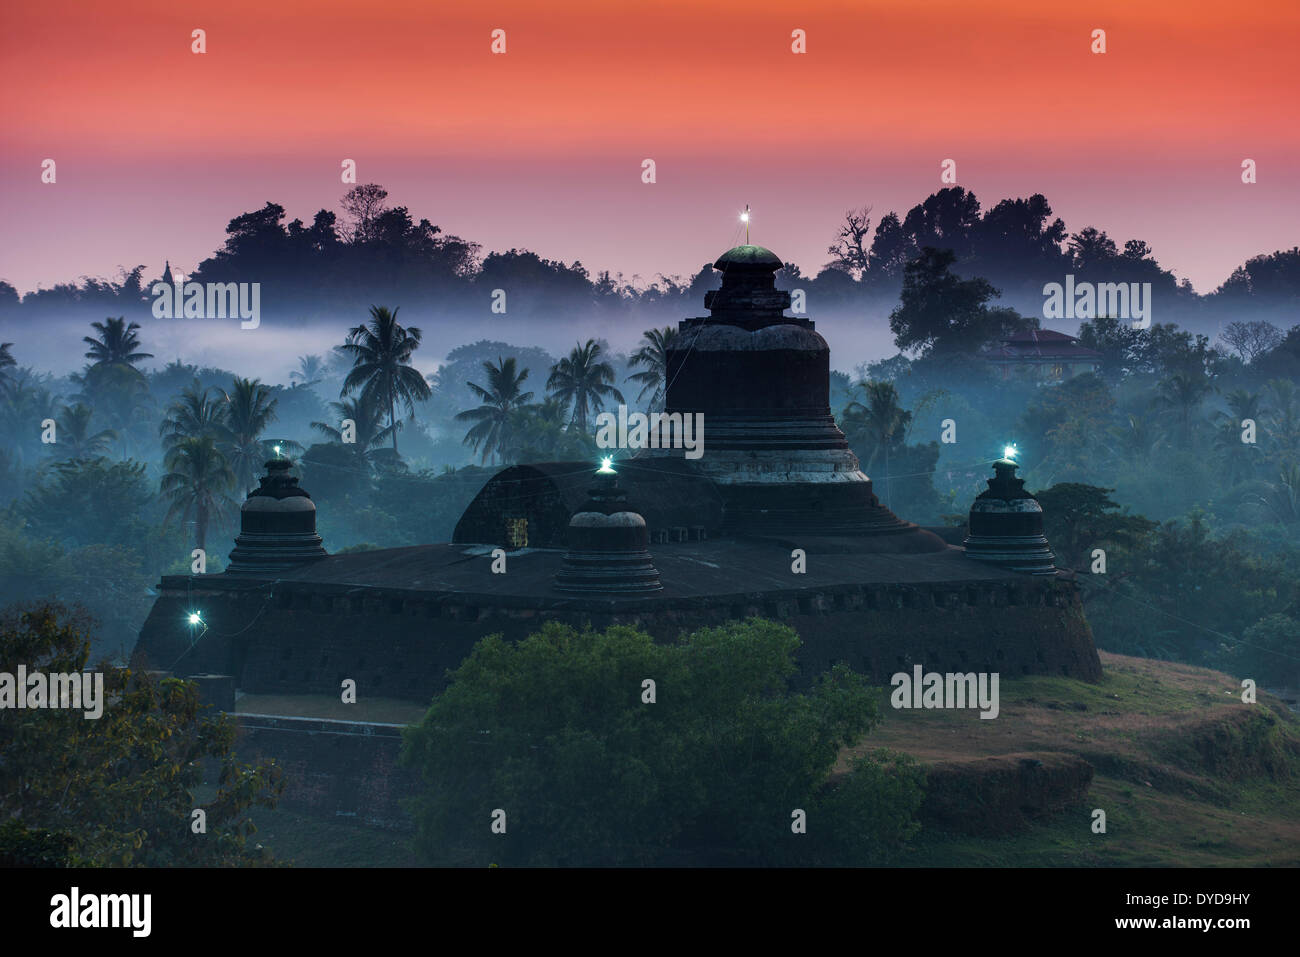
(309, 638)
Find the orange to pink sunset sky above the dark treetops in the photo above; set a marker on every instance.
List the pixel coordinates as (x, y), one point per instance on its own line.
(541, 148)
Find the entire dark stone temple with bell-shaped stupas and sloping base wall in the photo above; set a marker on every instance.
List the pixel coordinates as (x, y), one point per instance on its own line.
(773, 519)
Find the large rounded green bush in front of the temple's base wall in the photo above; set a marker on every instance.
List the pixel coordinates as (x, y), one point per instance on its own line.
(556, 733)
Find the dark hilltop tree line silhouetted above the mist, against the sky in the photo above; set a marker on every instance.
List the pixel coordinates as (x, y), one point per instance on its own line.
(333, 263)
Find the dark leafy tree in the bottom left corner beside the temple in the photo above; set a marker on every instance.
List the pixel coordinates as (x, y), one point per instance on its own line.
(120, 790)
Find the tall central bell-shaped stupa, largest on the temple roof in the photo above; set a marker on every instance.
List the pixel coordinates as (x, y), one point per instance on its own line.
(762, 383)
